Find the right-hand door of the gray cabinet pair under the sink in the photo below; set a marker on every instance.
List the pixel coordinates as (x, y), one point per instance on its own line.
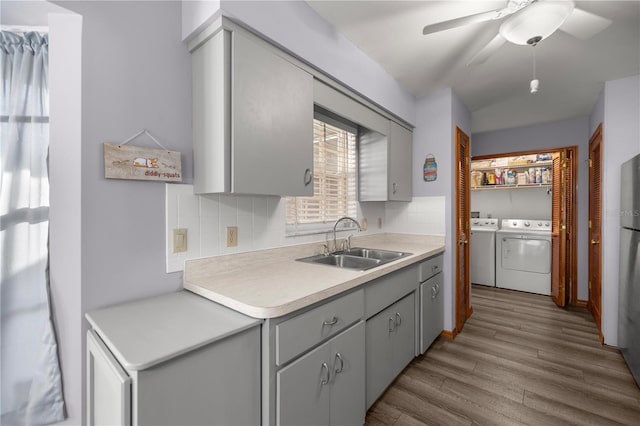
(404, 339)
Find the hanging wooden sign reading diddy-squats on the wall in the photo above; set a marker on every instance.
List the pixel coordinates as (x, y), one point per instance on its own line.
(141, 163)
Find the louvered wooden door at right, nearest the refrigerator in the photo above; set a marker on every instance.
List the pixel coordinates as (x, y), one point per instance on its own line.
(595, 226)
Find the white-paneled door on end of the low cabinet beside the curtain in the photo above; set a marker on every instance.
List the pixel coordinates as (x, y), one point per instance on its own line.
(108, 386)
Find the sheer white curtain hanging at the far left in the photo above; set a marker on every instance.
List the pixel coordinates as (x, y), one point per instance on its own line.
(31, 382)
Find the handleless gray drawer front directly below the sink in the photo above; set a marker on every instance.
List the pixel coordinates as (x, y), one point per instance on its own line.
(385, 290)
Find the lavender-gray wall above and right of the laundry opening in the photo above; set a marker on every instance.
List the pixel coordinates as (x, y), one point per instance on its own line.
(557, 134)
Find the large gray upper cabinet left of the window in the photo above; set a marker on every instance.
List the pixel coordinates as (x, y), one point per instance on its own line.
(252, 117)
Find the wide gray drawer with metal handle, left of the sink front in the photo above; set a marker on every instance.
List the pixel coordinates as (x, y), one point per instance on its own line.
(300, 333)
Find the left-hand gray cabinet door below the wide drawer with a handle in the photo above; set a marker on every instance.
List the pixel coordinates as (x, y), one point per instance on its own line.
(303, 389)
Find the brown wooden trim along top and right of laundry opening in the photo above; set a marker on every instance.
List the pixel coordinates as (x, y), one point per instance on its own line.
(572, 197)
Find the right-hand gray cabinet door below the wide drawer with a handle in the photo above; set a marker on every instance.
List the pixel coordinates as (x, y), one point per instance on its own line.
(348, 370)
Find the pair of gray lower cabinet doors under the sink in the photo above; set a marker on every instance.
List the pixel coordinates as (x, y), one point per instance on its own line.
(390, 345)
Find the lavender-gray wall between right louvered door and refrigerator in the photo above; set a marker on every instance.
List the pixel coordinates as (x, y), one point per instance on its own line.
(621, 141)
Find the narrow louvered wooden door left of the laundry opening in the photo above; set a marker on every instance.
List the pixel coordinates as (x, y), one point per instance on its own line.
(463, 305)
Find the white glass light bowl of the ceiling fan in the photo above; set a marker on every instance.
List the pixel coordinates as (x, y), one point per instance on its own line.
(541, 18)
